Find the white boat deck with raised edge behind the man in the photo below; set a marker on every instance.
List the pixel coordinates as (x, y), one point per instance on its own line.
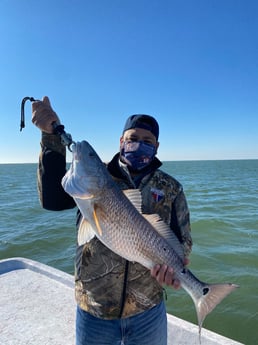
(37, 307)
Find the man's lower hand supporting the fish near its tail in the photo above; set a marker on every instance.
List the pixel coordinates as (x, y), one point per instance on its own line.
(165, 275)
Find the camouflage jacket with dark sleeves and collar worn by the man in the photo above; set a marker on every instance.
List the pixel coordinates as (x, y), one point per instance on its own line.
(106, 285)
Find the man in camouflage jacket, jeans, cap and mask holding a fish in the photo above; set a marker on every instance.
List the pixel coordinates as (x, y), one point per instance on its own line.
(119, 302)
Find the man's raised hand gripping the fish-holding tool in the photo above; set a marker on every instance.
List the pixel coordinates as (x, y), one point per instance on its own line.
(43, 115)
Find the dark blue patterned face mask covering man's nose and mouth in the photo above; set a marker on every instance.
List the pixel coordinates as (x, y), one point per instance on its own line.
(137, 154)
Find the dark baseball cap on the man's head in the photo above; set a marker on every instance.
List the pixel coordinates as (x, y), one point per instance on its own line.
(143, 121)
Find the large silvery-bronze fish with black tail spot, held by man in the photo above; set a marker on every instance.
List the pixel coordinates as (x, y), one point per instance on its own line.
(118, 223)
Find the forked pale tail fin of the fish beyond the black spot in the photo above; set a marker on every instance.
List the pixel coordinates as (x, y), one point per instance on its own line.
(212, 295)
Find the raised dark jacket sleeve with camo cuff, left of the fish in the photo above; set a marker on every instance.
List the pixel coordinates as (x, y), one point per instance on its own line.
(51, 169)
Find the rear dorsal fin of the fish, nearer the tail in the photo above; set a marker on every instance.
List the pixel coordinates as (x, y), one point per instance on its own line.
(166, 232)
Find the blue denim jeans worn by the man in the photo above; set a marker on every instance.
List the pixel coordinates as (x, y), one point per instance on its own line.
(147, 328)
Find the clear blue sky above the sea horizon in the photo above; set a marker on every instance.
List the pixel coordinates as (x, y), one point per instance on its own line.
(192, 64)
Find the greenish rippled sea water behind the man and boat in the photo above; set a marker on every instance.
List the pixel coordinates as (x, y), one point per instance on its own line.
(223, 199)
